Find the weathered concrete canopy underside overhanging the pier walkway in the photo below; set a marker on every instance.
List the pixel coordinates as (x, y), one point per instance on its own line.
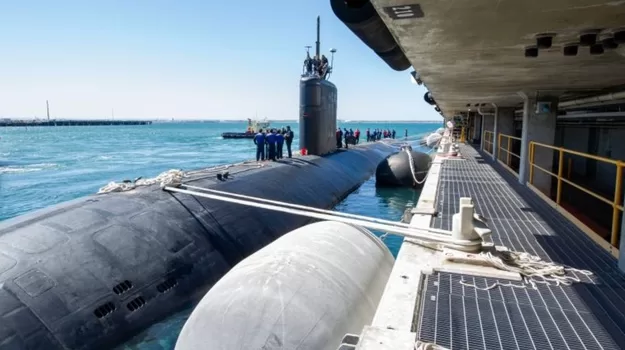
(472, 51)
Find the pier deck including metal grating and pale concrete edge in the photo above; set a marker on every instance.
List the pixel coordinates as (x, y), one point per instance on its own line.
(423, 304)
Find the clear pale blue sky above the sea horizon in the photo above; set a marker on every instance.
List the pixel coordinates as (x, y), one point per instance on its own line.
(187, 60)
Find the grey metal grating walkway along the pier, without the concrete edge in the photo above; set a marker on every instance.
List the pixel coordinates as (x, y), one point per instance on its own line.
(586, 315)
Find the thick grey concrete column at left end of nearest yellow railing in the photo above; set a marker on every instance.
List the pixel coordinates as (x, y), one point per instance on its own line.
(538, 127)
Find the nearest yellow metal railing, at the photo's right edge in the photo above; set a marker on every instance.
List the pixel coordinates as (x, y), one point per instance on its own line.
(615, 202)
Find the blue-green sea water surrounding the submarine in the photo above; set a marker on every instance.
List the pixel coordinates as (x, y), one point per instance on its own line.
(43, 166)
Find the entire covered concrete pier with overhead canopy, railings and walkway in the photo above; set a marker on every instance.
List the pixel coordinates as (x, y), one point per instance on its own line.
(564, 70)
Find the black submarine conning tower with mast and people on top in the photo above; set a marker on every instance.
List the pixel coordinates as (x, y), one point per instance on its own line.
(318, 98)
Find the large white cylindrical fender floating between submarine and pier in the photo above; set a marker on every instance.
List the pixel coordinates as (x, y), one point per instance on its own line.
(305, 290)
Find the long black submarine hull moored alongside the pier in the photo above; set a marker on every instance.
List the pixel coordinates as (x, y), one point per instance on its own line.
(93, 272)
